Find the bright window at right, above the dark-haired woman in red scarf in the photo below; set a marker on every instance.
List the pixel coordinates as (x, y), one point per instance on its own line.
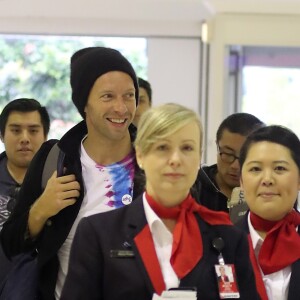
(270, 84)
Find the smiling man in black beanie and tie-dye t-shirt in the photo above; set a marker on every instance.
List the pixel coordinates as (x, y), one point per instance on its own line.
(96, 170)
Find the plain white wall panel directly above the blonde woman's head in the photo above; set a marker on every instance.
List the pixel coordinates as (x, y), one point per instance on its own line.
(174, 71)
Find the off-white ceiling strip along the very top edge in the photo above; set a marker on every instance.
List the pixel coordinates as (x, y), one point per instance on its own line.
(149, 10)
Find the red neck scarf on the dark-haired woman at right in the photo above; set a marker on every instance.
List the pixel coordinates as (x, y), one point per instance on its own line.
(281, 246)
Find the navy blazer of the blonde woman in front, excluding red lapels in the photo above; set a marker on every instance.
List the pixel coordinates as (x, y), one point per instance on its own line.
(97, 273)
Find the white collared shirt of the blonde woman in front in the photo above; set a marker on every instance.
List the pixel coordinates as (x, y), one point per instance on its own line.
(163, 240)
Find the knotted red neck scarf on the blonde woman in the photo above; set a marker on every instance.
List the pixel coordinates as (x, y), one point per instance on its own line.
(187, 246)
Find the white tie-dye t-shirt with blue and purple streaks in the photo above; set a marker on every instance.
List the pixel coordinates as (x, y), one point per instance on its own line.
(106, 188)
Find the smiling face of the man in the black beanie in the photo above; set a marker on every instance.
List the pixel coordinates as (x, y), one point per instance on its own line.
(110, 107)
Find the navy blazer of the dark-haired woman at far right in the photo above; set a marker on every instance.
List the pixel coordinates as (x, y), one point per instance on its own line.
(294, 288)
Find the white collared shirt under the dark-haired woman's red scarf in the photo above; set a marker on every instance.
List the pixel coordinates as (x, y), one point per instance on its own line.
(277, 283)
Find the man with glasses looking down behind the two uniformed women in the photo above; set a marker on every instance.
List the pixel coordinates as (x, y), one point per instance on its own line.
(219, 180)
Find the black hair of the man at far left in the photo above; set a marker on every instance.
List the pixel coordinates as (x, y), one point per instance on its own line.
(24, 105)
